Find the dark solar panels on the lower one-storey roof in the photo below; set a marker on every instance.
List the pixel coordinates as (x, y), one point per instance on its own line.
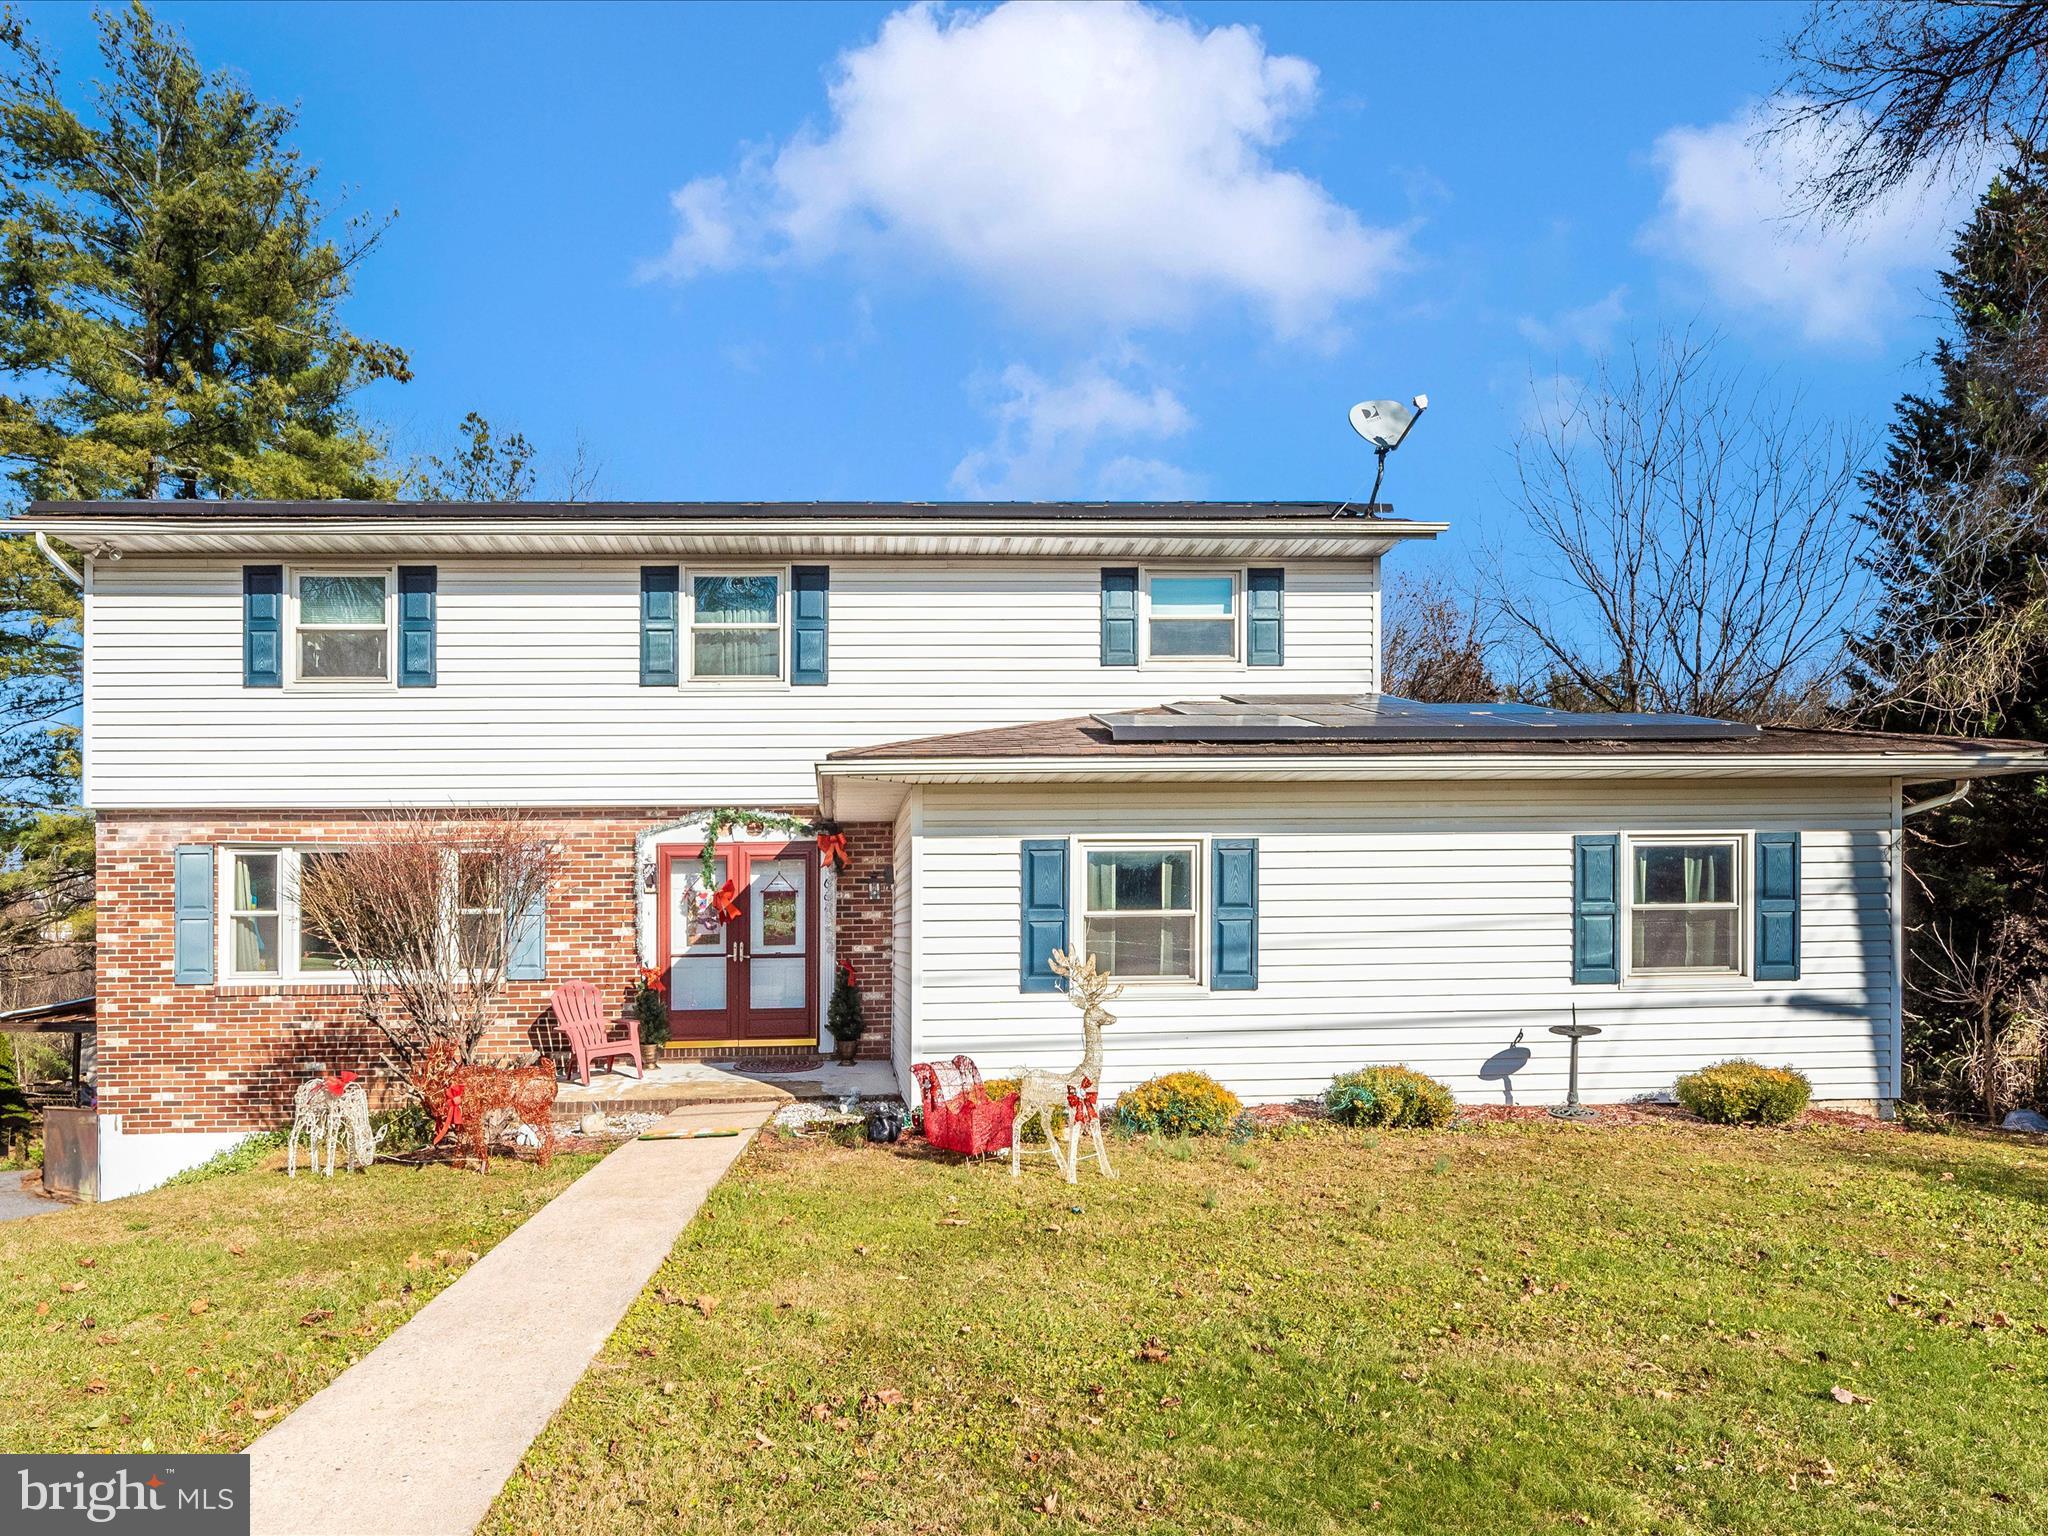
(1385, 718)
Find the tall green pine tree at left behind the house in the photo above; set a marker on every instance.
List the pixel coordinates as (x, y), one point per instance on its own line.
(169, 327)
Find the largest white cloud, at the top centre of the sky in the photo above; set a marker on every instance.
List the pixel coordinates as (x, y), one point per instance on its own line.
(1097, 163)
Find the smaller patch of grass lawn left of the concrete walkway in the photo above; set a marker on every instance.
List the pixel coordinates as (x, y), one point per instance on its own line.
(194, 1318)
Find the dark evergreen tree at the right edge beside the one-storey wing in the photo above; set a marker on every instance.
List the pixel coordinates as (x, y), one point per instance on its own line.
(1959, 517)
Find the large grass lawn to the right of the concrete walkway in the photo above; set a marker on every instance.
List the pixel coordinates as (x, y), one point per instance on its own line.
(1508, 1328)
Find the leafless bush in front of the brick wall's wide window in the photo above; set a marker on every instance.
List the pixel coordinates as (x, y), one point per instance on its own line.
(425, 914)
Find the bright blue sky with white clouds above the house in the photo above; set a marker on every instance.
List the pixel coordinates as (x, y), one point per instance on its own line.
(843, 251)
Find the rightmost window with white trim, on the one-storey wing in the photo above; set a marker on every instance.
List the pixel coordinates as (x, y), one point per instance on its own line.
(1684, 906)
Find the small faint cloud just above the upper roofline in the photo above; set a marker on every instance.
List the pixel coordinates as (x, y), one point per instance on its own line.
(1060, 439)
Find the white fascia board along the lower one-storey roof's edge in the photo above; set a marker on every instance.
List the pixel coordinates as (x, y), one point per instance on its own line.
(1910, 769)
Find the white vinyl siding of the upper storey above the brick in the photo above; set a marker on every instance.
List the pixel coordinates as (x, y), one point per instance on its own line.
(540, 697)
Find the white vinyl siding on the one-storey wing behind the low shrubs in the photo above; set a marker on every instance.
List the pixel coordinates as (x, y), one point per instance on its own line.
(1424, 925)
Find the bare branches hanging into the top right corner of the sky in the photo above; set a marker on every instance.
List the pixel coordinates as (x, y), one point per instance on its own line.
(1912, 89)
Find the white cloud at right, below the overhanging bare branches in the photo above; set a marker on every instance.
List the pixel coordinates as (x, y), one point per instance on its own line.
(1734, 212)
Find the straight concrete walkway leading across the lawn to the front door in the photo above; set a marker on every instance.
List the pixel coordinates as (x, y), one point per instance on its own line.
(419, 1437)
